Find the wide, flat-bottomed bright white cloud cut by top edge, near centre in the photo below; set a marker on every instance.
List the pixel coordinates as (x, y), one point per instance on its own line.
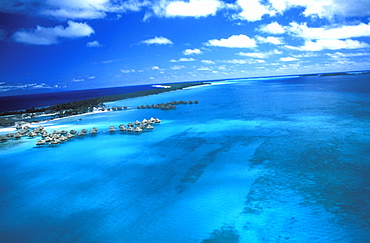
(192, 8)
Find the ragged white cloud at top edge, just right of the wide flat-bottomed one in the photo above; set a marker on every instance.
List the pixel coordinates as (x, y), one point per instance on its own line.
(253, 10)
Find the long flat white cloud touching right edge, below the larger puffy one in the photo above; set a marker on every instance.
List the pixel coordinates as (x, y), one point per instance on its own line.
(334, 44)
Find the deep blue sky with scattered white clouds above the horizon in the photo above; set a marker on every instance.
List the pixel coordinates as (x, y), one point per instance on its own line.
(54, 45)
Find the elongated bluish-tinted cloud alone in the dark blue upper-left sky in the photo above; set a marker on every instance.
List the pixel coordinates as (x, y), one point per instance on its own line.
(52, 35)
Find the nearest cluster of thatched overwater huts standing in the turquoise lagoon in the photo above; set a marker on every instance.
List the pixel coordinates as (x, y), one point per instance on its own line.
(57, 137)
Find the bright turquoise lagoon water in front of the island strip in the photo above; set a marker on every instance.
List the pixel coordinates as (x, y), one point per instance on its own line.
(257, 160)
